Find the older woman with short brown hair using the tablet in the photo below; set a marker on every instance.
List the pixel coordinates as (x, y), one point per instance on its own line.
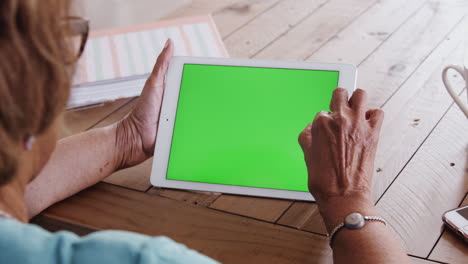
(36, 171)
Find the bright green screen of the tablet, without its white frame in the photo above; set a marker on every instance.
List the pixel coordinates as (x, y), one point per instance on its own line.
(240, 125)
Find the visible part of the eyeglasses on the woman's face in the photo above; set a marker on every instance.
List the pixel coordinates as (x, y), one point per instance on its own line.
(78, 27)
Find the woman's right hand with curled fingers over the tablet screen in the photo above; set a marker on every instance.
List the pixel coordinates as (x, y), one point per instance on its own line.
(339, 150)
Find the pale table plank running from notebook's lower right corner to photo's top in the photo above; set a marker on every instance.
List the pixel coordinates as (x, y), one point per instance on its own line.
(269, 26)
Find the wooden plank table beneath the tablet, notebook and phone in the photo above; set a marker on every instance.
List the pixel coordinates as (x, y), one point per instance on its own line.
(400, 47)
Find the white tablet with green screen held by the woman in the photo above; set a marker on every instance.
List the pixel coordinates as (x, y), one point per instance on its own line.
(232, 125)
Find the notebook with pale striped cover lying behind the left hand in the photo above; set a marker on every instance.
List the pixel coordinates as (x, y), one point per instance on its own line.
(116, 62)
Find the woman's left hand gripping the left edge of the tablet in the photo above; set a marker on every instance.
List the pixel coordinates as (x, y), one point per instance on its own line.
(136, 133)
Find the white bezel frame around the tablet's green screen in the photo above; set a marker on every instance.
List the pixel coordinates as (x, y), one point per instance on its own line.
(347, 80)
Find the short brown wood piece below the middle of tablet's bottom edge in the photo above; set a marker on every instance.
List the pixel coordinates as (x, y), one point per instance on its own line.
(271, 209)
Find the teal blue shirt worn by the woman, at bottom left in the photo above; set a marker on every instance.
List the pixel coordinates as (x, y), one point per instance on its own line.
(26, 243)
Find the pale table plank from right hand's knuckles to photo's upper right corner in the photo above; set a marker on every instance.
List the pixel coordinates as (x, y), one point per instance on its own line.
(383, 73)
